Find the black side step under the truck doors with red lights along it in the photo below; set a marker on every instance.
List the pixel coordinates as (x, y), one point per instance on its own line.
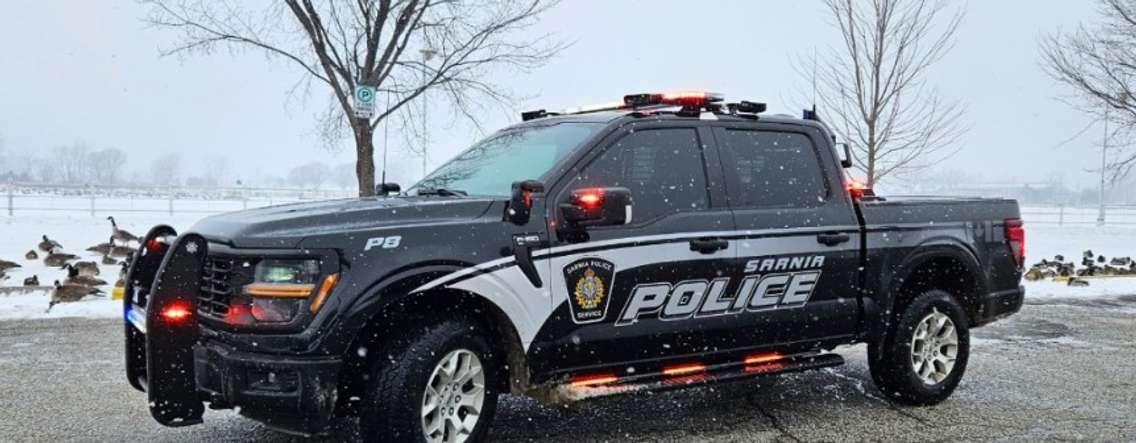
(694, 374)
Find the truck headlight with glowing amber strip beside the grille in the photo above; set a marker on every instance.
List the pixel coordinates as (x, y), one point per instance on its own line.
(282, 287)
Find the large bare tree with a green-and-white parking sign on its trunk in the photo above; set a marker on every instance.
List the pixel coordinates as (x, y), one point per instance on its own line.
(343, 45)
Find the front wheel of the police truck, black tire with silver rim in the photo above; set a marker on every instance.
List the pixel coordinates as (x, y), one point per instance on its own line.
(396, 399)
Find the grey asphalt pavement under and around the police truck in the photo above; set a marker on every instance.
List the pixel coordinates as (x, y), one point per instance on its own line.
(1060, 370)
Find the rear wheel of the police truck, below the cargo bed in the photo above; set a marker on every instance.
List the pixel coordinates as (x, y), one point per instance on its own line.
(906, 366)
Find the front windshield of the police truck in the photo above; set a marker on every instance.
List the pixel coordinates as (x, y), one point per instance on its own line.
(491, 166)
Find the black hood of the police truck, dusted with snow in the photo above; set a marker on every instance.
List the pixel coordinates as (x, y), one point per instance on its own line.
(287, 225)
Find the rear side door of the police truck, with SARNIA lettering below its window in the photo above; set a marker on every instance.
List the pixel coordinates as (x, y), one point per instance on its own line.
(799, 237)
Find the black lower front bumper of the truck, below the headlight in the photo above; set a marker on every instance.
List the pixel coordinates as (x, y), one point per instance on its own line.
(291, 394)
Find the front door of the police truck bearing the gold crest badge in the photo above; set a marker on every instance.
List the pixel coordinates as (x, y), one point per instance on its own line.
(679, 210)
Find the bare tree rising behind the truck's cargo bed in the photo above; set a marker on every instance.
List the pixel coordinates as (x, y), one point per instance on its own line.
(873, 88)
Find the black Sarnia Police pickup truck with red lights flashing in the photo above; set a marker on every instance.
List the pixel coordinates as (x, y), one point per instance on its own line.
(669, 240)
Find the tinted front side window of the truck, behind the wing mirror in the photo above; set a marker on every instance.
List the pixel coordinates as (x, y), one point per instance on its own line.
(663, 169)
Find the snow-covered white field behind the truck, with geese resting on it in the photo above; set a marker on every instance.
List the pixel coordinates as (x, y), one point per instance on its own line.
(77, 230)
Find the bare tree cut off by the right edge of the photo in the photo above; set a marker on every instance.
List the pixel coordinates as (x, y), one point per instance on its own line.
(1099, 65)
